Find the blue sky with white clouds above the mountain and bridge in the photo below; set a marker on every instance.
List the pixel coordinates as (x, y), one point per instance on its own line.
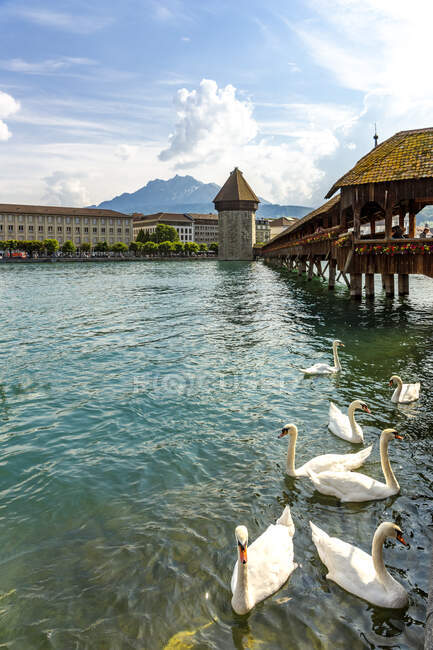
(97, 98)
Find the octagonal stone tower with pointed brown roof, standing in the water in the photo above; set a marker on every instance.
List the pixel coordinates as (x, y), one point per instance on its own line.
(236, 204)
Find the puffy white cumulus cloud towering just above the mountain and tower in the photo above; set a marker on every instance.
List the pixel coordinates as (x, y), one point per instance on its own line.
(209, 120)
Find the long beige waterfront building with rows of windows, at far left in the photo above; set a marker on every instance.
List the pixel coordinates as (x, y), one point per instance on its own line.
(79, 225)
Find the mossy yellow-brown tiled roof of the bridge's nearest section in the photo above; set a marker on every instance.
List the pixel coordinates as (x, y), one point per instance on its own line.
(406, 155)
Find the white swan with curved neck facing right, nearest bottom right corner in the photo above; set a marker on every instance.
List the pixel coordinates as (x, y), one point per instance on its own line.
(359, 573)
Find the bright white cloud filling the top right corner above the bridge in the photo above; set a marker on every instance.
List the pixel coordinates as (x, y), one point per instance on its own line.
(380, 48)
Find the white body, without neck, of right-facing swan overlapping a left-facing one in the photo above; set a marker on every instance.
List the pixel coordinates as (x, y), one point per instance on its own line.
(349, 486)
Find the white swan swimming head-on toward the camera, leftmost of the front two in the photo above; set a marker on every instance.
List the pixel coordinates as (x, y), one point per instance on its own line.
(267, 565)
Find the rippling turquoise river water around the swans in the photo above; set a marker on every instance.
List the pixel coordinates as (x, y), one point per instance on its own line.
(140, 406)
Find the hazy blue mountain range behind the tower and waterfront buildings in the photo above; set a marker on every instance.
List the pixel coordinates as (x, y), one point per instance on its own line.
(186, 194)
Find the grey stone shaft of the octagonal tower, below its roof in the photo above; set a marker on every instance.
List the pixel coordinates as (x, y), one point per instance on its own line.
(237, 234)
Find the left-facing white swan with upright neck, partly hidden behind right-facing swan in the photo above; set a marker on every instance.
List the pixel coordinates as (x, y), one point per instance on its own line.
(336, 462)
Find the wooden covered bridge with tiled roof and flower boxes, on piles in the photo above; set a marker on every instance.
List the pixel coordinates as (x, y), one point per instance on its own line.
(352, 234)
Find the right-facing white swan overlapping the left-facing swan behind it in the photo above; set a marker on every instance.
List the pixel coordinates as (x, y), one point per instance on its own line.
(352, 486)
